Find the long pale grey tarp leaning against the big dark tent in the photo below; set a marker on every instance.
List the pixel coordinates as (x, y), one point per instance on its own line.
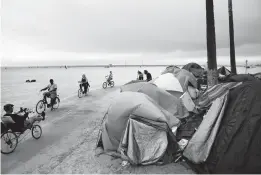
(201, 143)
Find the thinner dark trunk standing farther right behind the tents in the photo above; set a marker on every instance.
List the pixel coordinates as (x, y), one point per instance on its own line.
(231, 37)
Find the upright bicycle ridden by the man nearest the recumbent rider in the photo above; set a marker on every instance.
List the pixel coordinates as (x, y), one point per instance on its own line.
(43, 104)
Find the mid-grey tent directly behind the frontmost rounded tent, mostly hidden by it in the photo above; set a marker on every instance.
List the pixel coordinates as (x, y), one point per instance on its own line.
(164, 99)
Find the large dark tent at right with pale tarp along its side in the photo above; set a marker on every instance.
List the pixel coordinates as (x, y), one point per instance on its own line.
(235, 146)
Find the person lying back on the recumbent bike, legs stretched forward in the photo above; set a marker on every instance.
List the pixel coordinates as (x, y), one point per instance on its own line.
(17, 122)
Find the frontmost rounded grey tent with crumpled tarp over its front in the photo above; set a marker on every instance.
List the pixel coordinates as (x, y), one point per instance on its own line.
(137, 129)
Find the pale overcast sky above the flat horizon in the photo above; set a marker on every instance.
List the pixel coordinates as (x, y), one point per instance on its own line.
(54, 32)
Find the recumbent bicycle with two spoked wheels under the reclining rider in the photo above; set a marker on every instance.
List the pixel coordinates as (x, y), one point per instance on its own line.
(10, 134)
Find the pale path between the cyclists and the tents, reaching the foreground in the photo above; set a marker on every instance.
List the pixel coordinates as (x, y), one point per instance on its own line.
(68, 142)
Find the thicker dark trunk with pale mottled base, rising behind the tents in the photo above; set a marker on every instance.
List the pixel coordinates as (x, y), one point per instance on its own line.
(211, 44)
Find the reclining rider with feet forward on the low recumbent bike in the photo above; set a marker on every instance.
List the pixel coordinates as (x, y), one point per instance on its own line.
(19, 121)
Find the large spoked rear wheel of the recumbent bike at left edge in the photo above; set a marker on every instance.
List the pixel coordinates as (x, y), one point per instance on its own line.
(9, 142)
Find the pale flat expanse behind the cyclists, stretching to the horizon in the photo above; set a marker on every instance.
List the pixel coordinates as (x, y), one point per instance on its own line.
(14, 89)
